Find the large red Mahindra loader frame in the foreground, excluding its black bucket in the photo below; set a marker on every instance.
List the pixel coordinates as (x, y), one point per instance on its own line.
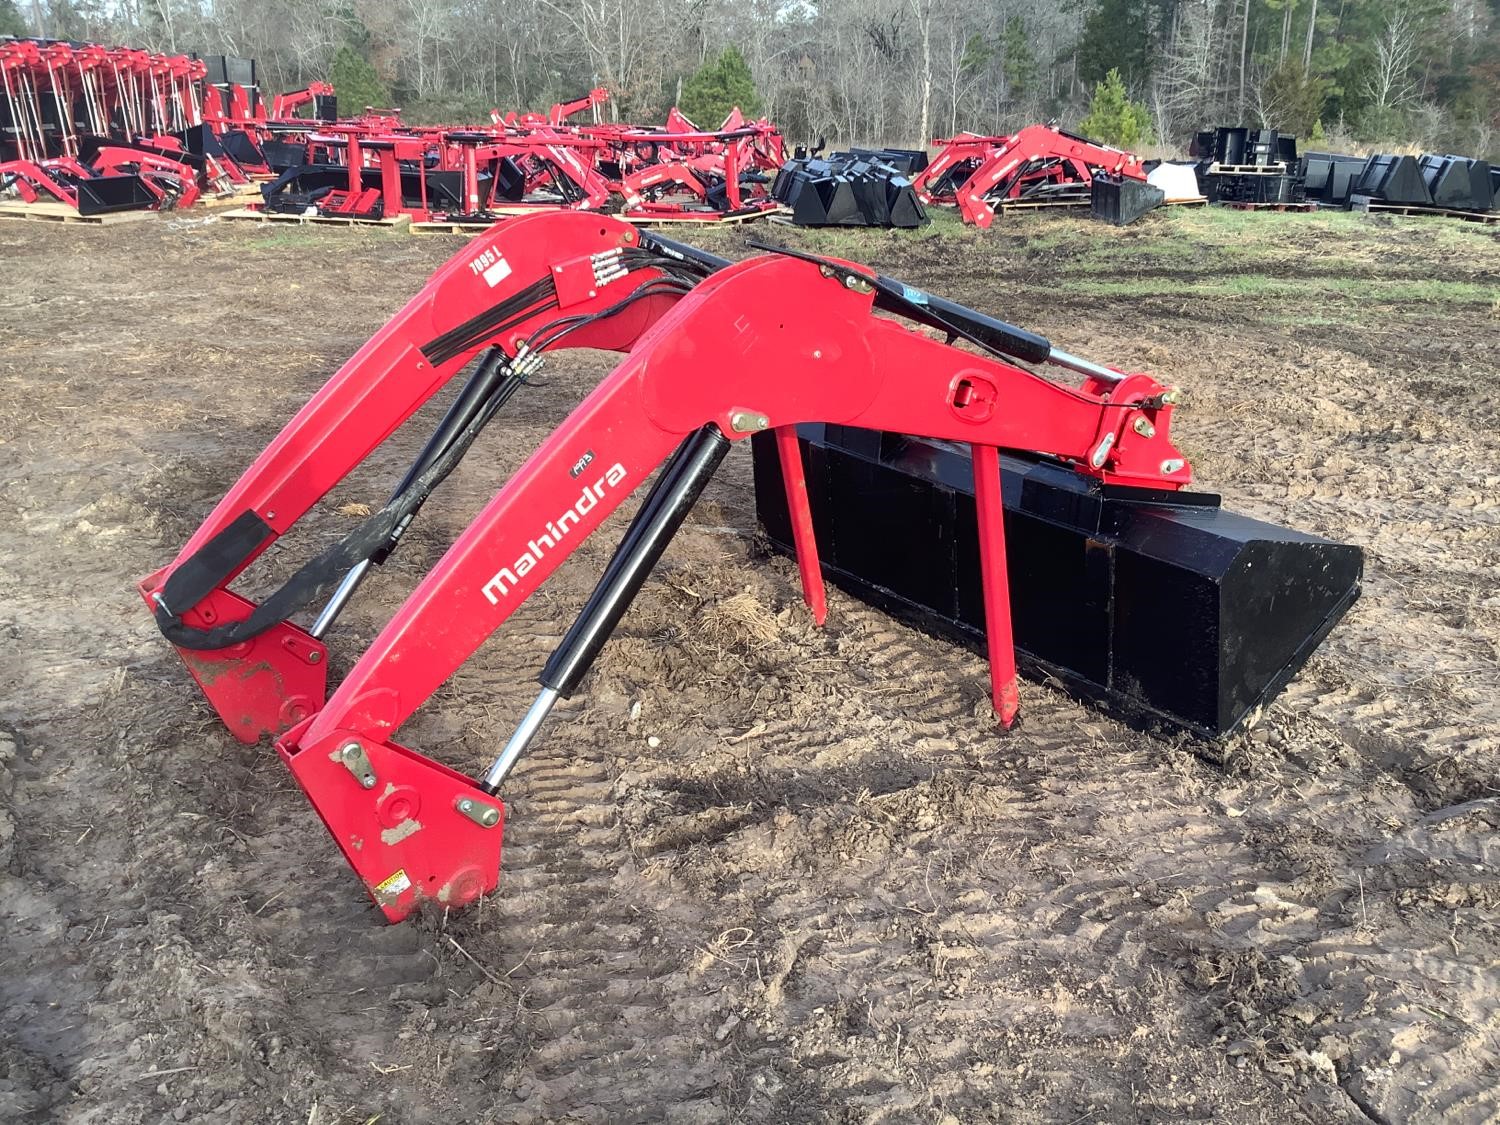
(715, 352)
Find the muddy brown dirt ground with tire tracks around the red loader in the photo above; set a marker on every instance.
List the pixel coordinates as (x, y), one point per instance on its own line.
(758, 871)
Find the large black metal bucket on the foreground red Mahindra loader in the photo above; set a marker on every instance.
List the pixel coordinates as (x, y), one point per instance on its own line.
(1160, 607)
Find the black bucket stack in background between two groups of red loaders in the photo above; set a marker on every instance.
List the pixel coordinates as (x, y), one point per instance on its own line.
(862, 188)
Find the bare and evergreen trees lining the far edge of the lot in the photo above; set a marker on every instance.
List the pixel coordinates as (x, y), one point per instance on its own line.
(1420, 73)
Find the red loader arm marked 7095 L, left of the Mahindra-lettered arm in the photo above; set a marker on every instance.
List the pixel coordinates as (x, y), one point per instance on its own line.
(496, 290)
